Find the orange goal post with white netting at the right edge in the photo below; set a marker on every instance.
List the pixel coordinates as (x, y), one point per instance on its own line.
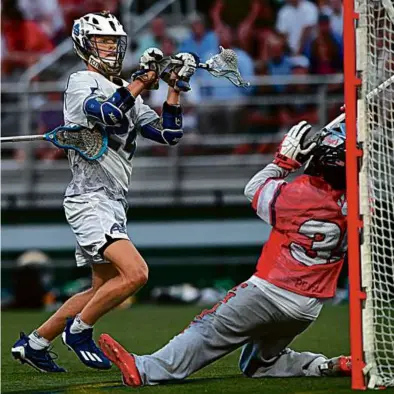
(369, 99)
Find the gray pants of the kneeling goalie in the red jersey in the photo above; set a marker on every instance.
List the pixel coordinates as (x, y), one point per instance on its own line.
(245, 317)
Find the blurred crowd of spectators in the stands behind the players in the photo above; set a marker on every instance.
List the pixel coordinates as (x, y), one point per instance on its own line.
(276, 38)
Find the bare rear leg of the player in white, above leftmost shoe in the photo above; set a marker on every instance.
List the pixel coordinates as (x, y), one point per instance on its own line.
(55, 325)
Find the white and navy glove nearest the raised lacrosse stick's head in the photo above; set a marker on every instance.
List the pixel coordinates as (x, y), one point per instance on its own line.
(178, 77)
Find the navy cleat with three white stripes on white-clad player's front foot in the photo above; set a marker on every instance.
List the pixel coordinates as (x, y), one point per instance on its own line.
(82, 344)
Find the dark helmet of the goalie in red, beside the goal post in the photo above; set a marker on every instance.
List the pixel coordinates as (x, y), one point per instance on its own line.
(328, 159)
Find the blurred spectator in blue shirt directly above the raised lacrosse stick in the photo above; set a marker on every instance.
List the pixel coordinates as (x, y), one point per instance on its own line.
(201, 41)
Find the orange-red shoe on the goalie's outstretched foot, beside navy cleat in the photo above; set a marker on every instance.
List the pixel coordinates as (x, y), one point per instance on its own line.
(122, 359)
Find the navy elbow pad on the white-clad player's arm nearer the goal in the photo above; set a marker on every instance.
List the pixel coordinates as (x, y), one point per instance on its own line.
(167, 130)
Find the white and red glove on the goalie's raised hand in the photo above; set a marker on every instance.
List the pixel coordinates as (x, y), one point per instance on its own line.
(294, 150)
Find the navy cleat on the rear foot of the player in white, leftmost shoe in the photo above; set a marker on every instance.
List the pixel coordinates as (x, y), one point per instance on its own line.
(41, 360)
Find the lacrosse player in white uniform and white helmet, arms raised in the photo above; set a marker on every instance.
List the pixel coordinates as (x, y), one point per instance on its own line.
(95, 201)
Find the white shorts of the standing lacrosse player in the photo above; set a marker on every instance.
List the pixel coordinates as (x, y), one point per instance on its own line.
(95, 220)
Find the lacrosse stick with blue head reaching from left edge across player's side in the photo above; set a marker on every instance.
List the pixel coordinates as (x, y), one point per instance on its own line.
(90, 144)
